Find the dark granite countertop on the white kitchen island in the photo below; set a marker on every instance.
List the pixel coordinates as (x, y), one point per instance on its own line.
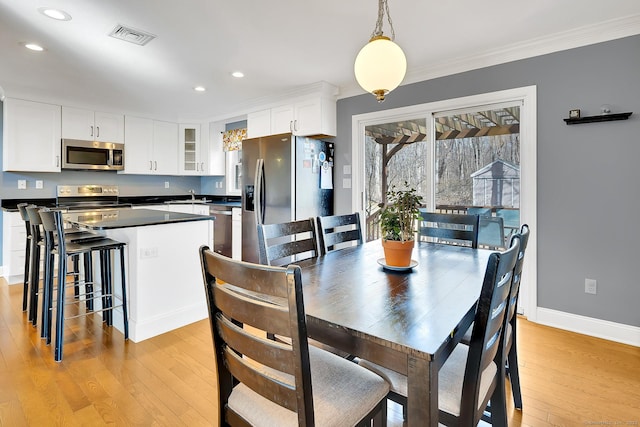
(106, 219)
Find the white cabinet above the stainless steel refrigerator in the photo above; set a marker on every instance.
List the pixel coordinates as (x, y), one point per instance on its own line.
(309, 117)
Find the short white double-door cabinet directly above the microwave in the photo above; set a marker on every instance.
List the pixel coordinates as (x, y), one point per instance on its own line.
(90, 125)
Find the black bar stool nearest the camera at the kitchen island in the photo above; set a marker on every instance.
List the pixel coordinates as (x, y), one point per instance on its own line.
(53, 226)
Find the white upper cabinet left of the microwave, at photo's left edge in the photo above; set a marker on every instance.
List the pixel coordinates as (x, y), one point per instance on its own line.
(31, 136)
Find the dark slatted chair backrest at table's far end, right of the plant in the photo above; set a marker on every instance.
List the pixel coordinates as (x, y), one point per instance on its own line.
(456, 229)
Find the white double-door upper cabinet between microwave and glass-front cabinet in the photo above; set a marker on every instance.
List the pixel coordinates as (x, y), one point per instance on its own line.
(151, 147)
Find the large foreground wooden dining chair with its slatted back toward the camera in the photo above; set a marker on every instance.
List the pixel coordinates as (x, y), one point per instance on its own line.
(267, 383)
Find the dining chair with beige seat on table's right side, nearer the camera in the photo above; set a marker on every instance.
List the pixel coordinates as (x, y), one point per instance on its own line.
(472, 375)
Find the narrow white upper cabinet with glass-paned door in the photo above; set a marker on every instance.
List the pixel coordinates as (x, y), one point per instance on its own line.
(193, 149)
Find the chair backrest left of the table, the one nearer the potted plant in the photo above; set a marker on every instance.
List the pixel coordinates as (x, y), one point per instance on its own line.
(339, 231)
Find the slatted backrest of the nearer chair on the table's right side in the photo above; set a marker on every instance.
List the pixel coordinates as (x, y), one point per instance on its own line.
(487, 344)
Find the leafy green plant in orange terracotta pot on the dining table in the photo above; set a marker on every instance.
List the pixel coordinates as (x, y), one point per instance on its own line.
(398, 225)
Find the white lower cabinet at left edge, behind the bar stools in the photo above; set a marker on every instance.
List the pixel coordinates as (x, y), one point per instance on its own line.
(14, 237)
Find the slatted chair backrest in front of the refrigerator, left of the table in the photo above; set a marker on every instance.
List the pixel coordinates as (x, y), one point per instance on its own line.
(284, 243)
